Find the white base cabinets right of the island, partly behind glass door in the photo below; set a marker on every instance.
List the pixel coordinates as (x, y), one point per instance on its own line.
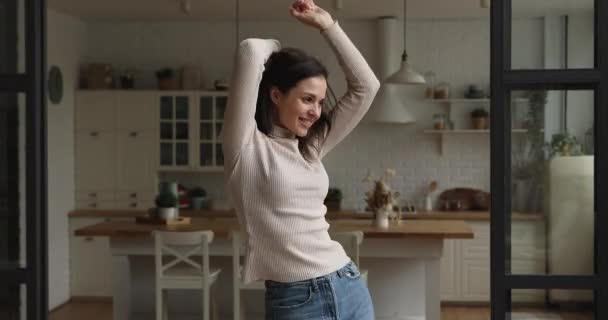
(466, 263)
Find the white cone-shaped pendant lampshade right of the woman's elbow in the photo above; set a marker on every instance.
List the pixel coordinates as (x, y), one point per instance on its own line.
(388, 107)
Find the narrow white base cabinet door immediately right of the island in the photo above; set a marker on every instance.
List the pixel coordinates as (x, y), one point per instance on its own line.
(450, 273)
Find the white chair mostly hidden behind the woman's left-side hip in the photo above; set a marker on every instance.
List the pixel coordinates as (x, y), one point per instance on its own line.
(237, 281)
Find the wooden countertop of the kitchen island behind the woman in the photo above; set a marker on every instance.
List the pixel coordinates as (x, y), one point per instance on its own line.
(433, 229)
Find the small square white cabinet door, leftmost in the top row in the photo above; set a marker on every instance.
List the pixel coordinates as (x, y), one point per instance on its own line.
(95, 110)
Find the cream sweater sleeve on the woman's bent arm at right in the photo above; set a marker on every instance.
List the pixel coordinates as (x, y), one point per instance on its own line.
(362, 86)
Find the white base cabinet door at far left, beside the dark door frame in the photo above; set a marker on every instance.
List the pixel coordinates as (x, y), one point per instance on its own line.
(90, 264)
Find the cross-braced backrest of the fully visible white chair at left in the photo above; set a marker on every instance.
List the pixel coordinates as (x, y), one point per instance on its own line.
(179, 248)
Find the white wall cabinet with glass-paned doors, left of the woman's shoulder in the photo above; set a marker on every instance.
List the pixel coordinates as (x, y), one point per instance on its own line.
(190, 126)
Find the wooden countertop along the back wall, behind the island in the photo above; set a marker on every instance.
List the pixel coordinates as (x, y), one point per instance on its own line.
(344, 214)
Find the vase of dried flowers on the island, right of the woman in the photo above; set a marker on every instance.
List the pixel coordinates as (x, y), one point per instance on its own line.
(381, 200)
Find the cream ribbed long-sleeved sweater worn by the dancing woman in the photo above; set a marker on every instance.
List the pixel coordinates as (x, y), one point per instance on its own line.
(277, 194)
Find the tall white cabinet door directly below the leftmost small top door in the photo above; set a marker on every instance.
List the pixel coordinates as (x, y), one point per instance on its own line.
(95, 160)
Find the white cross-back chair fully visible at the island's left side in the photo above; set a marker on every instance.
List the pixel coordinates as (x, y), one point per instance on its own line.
(176, 255)
